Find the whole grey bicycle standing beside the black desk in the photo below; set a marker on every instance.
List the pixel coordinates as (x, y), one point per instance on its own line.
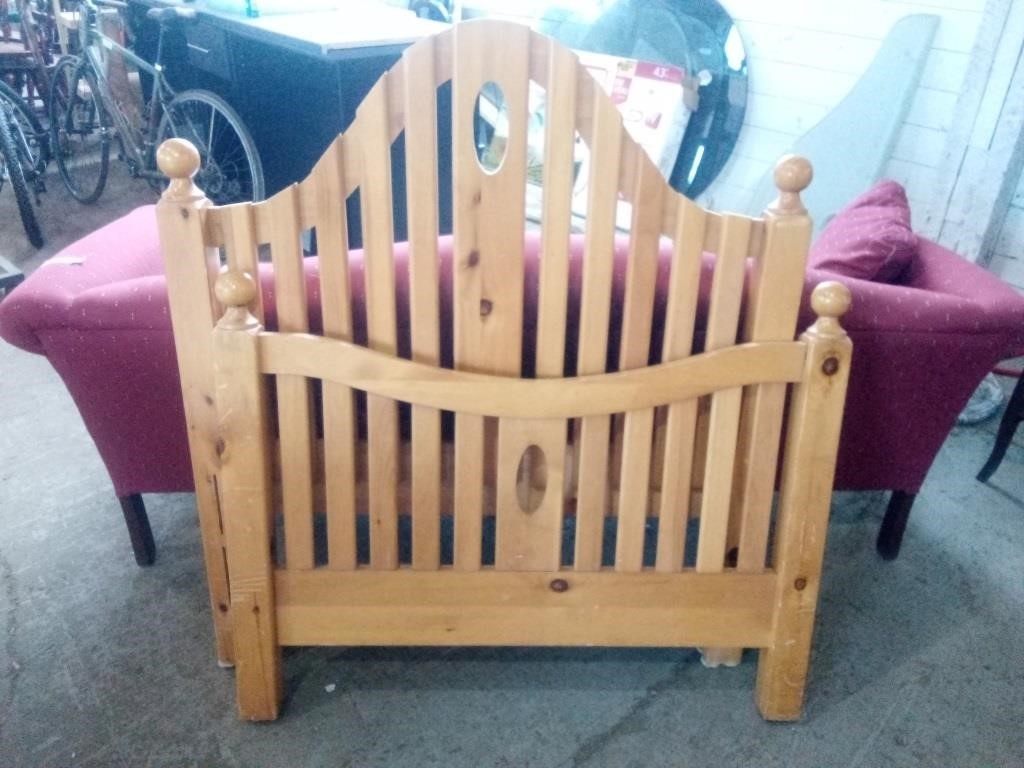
(87, 117)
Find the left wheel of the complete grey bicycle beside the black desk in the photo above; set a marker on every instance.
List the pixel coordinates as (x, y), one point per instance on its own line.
(79, 130)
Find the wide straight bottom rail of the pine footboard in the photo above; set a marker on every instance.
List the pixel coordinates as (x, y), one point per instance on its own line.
(492, 608)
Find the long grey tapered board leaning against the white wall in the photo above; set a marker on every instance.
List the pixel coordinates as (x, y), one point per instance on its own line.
(851, 146)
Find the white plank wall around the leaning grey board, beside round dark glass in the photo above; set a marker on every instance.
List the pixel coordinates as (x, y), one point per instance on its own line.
(806, 55)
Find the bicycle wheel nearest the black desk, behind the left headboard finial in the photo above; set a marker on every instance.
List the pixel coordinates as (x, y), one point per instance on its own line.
(230, 168)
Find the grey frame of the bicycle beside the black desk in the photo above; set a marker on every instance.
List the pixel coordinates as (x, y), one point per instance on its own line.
(94, 42)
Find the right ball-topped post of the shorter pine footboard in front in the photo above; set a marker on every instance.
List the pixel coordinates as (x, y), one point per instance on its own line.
(813, 441)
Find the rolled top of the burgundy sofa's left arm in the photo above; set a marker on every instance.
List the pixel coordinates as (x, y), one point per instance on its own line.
(125, 250)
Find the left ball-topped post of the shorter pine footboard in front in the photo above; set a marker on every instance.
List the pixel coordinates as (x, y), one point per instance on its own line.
(245, 485)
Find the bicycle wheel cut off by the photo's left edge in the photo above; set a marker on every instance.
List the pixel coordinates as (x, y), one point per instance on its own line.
(24, 155)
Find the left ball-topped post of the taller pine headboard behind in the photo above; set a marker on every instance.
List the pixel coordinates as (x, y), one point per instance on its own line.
(191, 270)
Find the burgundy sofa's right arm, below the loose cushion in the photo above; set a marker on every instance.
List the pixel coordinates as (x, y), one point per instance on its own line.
(919, 352)
